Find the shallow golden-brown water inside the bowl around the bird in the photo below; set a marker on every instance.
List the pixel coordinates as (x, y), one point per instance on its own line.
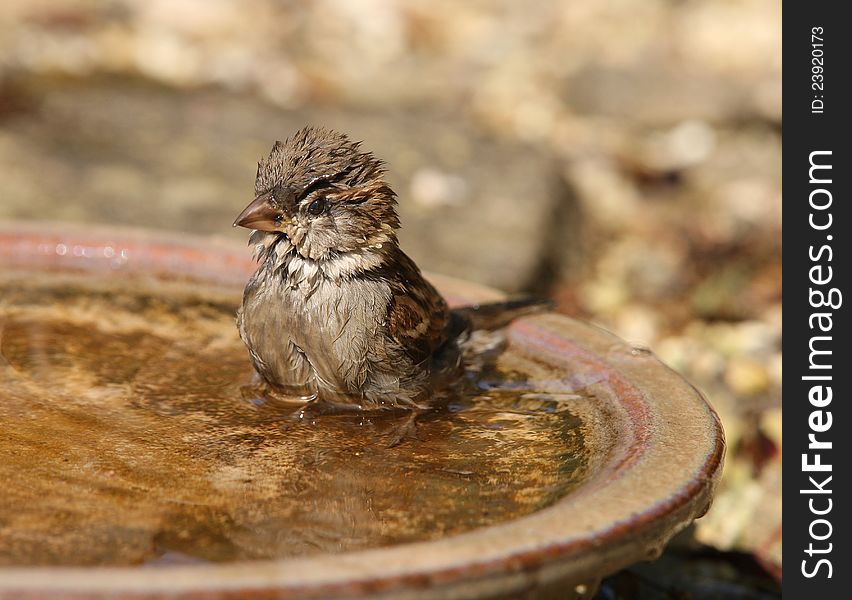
(127, 436)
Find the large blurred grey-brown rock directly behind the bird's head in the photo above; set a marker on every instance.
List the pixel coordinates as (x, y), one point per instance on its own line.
(123, 152)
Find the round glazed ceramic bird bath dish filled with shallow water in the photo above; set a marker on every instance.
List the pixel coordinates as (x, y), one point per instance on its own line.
(139, 462)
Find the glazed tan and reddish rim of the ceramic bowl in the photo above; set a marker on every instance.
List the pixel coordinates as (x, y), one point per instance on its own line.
(666, 459)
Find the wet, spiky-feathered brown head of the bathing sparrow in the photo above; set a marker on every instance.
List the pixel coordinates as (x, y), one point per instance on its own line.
(324, 194)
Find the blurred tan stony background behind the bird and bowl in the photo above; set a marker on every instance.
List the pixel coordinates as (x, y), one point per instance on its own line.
(621, 156)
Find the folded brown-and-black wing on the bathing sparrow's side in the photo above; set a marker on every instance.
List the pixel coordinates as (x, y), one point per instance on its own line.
(417, 314)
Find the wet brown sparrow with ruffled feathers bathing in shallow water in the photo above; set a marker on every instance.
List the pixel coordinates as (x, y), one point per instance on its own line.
(336, 311)
